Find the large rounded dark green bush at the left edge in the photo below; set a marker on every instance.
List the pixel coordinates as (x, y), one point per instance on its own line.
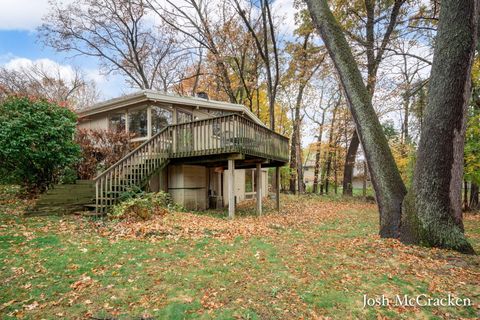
(36, 139)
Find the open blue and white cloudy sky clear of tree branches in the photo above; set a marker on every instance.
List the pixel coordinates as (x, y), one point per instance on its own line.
(20, 46)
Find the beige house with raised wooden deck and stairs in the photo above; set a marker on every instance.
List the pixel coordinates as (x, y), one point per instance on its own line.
(204, 153)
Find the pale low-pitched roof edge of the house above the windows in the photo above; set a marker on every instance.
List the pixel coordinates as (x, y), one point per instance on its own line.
(152, 95)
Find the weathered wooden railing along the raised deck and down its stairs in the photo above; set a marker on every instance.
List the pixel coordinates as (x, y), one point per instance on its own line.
(220, 135)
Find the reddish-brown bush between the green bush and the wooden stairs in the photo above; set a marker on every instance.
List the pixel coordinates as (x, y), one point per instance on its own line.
(100, 149)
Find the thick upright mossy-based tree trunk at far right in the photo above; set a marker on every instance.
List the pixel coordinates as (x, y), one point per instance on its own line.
(433, 208)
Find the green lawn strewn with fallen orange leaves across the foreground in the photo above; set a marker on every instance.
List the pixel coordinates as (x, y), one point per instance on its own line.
(315, 259)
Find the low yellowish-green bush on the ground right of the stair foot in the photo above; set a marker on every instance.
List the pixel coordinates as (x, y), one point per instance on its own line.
(143, 206)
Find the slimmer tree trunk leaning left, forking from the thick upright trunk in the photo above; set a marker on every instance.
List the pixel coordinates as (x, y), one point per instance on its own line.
(388, 185)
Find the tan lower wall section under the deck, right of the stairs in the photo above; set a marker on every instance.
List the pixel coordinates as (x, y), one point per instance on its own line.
(188, 186)
